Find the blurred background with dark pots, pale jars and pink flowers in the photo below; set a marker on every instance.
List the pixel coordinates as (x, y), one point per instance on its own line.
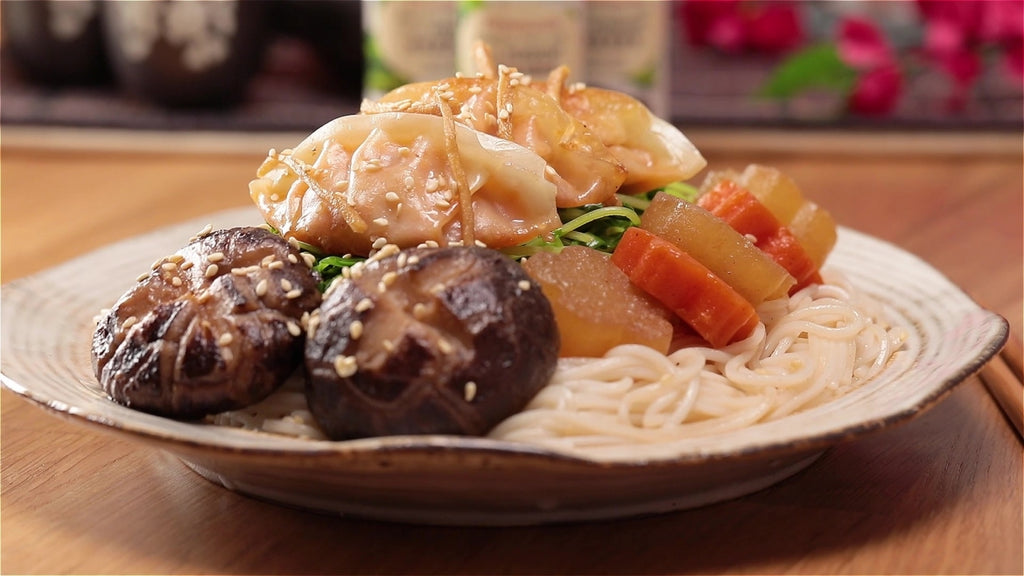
(294, 65)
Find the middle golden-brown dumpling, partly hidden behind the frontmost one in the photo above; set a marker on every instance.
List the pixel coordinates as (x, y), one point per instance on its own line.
(585, 171)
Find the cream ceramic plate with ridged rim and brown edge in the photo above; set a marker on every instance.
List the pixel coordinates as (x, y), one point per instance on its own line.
(47, 332)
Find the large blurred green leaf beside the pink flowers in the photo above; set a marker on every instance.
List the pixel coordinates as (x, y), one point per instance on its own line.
(818, 67)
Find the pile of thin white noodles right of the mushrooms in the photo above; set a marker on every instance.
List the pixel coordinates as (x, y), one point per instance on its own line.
(813, 348)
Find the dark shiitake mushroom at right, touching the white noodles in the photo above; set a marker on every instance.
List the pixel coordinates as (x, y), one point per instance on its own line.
(430, 341)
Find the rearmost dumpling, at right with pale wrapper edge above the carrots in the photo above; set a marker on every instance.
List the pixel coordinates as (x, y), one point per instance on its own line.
(654, 152)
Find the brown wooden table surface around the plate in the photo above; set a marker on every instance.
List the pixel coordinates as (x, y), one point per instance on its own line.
(940, 495)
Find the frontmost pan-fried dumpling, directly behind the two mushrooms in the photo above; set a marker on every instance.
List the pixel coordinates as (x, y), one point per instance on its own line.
(362, 178)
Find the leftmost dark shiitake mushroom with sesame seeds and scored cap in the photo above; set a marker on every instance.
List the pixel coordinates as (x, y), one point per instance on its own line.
(216, 327)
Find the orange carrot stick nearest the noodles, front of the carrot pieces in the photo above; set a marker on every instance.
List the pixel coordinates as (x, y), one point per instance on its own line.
(704, 301)
